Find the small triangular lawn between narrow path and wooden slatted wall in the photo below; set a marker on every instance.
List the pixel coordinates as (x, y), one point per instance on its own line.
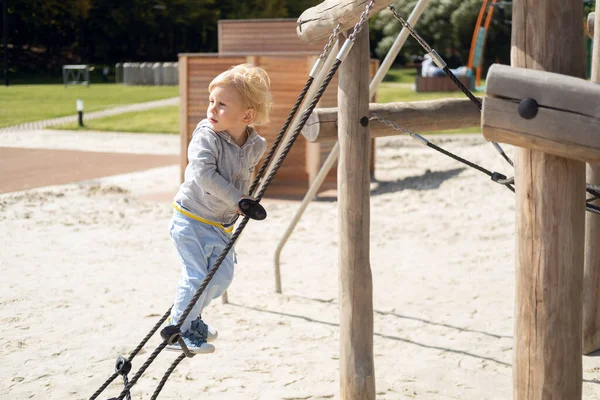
(158, 120)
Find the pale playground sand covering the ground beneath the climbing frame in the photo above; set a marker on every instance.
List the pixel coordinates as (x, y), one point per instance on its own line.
(88, 268)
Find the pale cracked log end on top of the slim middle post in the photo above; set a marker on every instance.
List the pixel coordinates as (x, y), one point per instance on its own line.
(317, 23)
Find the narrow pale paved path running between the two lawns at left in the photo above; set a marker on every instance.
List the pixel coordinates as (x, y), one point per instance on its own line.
(28, 126)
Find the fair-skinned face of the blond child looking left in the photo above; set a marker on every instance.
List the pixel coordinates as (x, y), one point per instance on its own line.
(226, 110)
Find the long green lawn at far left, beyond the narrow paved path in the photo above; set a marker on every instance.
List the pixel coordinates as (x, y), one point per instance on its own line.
(26, 103)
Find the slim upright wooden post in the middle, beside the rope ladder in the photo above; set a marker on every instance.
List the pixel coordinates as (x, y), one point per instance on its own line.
(357, 371)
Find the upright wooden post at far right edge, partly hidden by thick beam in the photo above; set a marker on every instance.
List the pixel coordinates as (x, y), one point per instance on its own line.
(591, 285)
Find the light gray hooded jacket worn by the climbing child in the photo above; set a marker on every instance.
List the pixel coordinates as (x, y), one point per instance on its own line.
(218, 173)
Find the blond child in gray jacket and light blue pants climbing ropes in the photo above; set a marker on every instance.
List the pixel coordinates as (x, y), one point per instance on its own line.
(222, 154)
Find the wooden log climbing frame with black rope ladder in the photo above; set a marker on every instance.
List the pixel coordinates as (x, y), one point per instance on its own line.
(550, 176)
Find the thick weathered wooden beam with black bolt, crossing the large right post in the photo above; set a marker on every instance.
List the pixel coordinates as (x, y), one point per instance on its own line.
(565, 119)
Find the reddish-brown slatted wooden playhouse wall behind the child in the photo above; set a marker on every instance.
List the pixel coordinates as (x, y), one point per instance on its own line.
(288, 72)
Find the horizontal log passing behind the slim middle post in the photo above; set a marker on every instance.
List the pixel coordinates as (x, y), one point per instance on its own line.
(416, 116)
